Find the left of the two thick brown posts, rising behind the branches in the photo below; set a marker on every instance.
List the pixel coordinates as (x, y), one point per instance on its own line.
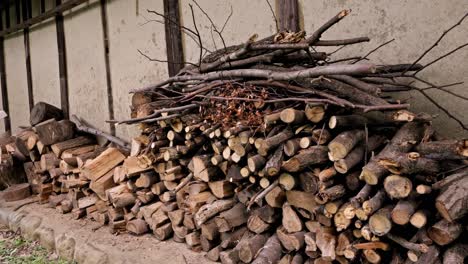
(174, 49)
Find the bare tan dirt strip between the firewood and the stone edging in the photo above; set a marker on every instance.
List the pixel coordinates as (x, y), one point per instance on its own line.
(137, 249)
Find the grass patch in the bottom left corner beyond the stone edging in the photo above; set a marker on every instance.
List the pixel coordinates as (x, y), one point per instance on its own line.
(16, 250)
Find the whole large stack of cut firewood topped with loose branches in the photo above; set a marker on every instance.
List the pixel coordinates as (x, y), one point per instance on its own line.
(268, 152)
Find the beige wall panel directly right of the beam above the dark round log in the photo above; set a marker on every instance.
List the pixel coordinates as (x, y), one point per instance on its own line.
(87, 85)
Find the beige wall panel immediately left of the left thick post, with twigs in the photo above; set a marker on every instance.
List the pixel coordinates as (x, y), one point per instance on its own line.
(129, 30)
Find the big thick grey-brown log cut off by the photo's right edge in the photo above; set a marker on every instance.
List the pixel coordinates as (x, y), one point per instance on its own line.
(452, 200)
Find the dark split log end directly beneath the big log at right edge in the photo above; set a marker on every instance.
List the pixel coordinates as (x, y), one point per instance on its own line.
(444, 232)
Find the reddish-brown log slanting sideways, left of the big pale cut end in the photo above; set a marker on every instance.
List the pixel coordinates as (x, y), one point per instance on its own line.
(307, 157)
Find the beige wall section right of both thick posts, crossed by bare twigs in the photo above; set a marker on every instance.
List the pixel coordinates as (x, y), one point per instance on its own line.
(415, 26)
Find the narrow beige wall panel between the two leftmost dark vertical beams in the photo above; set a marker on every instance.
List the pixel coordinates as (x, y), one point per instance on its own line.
(16, 81)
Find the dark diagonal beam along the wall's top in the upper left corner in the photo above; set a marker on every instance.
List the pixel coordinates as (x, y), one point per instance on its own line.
(59, 9)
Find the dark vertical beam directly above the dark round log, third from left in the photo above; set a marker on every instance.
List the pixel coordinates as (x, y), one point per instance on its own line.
(62, 57)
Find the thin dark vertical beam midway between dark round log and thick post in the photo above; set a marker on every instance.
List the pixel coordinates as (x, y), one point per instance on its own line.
(105, 30)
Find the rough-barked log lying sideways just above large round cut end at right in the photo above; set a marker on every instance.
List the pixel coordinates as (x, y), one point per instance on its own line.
(409, 163)
